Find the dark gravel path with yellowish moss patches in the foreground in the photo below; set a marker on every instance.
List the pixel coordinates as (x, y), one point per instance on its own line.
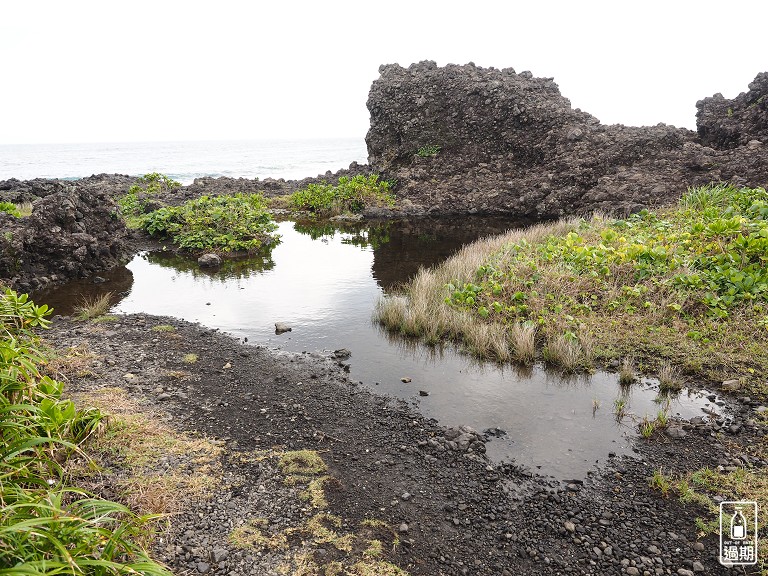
(391, 475)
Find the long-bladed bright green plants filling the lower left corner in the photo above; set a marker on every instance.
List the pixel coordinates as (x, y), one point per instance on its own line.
(47, 527)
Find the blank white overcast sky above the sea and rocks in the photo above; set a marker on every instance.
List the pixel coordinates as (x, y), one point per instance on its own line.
(107, 71)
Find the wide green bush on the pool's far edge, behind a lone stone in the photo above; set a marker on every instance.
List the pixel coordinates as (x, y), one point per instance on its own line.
(224, 223)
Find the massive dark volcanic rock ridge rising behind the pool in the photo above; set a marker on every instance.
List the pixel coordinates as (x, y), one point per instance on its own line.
(511, 143)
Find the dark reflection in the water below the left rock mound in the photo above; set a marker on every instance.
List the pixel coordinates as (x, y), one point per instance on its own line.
(63, 299)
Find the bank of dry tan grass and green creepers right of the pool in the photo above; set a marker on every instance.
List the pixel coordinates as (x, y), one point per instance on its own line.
(685, 286)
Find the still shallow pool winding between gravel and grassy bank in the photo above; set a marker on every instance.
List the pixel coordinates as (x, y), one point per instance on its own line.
(324, 282)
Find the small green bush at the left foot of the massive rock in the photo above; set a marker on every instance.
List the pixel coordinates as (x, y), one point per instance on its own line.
(350, 195)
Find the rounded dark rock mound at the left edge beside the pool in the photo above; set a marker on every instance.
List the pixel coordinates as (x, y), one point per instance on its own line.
(73, 232)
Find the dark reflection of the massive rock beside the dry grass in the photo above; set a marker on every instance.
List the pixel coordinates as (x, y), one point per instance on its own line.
(426, 242)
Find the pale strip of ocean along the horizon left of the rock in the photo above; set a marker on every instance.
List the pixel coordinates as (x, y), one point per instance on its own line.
(183, 161)
